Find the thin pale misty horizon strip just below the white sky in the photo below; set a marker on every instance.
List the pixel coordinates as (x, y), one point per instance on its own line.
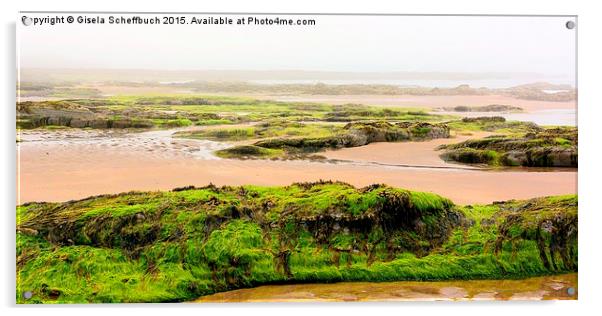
(398, 78)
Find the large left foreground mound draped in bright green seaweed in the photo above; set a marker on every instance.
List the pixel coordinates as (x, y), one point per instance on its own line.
(221, 238)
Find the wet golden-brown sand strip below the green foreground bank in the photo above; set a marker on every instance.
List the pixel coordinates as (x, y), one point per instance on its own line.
(539, 288)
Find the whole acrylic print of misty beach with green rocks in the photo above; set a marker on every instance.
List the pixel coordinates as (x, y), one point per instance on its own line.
(242, 157)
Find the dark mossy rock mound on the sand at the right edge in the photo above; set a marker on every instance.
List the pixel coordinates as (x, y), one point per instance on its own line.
(555, 147)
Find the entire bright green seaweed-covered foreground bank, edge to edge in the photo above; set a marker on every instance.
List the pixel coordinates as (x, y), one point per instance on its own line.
(179, 245)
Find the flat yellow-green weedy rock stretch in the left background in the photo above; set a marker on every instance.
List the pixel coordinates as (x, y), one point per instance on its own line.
(184, 110)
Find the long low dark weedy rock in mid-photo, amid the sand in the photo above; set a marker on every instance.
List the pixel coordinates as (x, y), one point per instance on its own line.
(354, 135)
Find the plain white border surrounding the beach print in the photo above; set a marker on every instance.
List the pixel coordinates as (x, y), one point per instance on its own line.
(590, 104)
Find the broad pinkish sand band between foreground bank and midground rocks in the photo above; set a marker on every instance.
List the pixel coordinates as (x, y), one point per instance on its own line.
(61, 168)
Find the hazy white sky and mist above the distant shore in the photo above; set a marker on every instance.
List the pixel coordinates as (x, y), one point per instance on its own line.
(393, 49)
